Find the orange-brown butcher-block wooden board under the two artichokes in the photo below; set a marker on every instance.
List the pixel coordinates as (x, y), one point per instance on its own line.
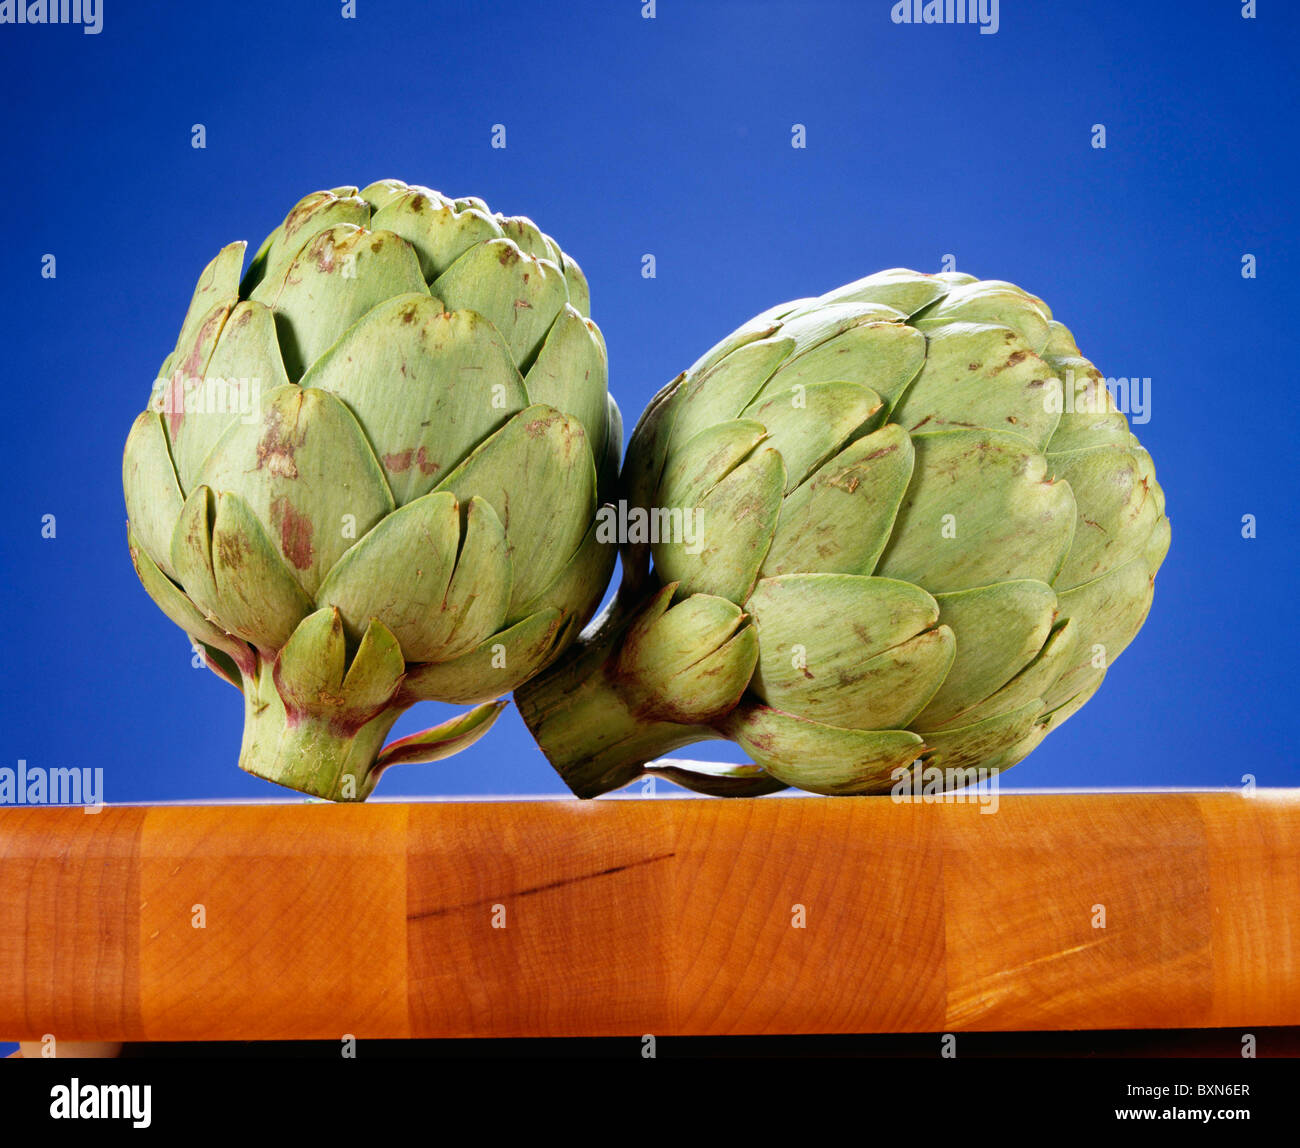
(703, 917)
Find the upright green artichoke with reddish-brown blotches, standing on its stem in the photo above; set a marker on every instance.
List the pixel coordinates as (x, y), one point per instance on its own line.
(370, 475)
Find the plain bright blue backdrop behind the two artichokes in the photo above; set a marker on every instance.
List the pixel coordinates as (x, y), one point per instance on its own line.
(670, 137)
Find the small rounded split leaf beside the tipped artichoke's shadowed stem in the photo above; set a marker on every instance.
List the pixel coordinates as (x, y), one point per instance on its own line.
(690, 662)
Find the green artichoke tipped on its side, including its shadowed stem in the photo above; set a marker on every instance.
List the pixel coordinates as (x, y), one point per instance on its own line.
(902, 527)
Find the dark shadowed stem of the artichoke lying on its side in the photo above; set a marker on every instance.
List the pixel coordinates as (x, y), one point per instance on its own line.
(586, 721)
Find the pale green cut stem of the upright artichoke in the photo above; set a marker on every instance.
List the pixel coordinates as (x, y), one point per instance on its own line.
(314, 756)
